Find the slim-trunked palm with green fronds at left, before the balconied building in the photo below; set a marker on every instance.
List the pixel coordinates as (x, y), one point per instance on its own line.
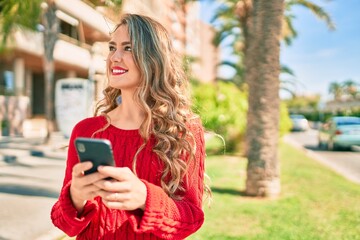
(31, 13)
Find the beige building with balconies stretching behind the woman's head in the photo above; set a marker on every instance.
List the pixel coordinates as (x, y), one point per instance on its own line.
(79, 51)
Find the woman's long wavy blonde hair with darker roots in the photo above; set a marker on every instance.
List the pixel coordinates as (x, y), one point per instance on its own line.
(163, 96)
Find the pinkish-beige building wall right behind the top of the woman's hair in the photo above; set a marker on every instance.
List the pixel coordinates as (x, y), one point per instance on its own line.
(198, 34)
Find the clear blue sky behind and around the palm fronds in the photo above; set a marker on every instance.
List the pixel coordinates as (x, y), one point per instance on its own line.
(318, 56)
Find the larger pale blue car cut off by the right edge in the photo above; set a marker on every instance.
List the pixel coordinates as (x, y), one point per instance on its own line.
(340, 132)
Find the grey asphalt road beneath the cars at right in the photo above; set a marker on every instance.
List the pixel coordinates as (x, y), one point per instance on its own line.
(346, 163)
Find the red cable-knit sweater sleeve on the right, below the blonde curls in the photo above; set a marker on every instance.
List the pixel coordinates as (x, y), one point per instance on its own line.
(176, 219)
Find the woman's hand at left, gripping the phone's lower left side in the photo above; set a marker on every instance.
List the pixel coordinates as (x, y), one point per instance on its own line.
(82, 187)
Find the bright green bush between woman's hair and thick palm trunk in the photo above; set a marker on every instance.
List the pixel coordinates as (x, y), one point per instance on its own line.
(222, 108)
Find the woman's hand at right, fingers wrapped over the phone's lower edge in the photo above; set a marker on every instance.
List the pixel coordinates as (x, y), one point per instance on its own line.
(124, 191)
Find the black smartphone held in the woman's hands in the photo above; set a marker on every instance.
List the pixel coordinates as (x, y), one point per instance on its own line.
(96, 150)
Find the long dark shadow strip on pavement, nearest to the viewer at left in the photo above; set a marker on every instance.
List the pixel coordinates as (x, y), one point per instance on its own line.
(28, 191)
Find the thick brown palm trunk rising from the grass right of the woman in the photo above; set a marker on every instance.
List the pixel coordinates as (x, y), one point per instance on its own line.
(262, 69)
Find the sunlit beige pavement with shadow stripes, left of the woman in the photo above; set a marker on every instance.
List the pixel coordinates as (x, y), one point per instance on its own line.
(28, 189)
